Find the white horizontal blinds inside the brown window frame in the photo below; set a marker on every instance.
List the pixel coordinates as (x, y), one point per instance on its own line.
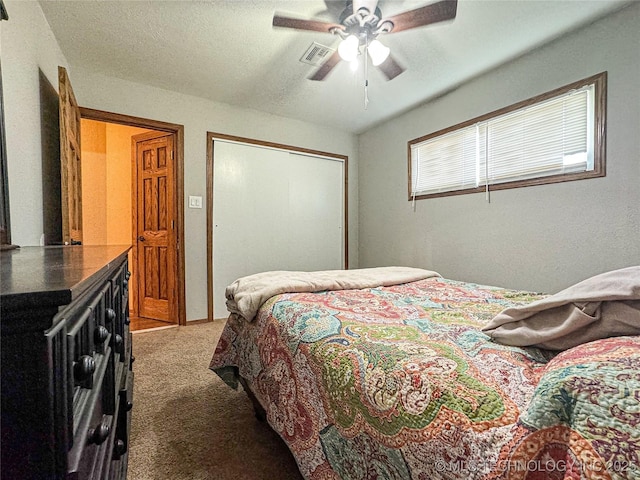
(549, 137)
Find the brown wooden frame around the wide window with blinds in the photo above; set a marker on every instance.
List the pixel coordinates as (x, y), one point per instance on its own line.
(599, 82)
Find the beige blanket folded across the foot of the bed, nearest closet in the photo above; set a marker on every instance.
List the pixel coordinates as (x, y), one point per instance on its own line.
(247, 294)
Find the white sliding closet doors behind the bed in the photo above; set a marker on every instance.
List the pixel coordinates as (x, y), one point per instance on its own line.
(273, 210)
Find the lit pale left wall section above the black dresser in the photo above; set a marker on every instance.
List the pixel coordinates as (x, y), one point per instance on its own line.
(27, 45)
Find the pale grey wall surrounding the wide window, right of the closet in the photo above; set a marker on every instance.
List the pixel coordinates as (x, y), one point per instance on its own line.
(540, 238)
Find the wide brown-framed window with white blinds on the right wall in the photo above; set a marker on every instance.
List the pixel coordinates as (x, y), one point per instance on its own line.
(554, 137)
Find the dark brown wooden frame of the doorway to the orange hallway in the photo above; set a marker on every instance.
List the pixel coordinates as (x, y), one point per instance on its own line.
(178, 130)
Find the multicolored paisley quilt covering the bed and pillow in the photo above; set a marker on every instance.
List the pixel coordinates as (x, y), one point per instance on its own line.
(400, 382)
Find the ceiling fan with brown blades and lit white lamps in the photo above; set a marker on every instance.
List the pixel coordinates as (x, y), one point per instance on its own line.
(360, 25)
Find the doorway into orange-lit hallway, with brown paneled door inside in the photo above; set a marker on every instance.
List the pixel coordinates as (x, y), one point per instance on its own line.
(156, 288)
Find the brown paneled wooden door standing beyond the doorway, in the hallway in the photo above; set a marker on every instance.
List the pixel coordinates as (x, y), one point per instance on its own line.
(154, 221)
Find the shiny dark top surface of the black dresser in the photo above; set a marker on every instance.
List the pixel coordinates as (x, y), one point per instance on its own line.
(54, 275)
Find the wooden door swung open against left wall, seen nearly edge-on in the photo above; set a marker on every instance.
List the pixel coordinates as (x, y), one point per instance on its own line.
(70, 170)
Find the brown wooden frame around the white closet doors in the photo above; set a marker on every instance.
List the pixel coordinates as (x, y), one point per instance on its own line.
(211, 137)
